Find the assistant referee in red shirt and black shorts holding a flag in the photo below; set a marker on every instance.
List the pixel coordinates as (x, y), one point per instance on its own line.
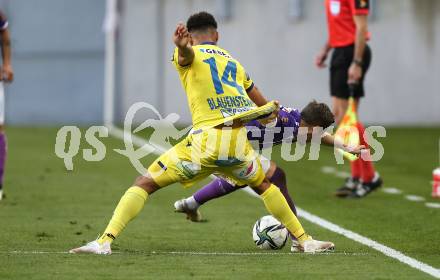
(348, 34)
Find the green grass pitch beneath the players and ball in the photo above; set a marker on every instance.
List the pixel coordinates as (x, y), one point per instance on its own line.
(49, 210)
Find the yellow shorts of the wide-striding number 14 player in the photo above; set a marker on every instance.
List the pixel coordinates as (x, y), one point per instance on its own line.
(224, 151)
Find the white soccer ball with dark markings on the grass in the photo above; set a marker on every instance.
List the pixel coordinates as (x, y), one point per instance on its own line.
(269, 233)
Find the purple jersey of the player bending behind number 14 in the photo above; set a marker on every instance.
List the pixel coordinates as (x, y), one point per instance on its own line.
(285, 129)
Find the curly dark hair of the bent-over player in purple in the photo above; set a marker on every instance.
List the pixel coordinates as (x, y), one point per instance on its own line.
(317, 114)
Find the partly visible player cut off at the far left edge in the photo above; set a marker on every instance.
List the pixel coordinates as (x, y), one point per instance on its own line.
(6, 75)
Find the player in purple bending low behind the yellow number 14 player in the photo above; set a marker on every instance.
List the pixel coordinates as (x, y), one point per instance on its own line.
(284, 128)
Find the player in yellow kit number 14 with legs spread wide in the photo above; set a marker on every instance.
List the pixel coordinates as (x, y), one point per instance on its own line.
(218, 91)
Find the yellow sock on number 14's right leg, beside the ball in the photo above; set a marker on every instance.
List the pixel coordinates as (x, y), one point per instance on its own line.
(277, 205)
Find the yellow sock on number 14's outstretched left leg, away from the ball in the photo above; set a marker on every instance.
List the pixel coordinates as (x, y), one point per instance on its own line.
(129, 206)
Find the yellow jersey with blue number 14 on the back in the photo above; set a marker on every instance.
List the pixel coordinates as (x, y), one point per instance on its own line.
(216, 86)
